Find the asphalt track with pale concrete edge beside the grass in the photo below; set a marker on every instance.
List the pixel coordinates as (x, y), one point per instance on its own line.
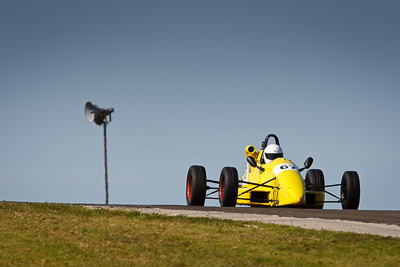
(381, 222)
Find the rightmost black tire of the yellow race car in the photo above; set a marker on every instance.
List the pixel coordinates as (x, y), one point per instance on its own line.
(350, 190)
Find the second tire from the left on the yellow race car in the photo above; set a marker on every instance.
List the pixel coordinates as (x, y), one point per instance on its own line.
(228, 187)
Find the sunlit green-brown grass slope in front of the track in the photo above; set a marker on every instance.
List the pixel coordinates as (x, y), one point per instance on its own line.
(33, 234)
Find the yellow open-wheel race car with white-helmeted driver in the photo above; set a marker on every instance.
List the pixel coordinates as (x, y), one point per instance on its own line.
(270, 180)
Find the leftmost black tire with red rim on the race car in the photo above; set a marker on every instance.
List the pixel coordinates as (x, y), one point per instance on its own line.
(196, 186)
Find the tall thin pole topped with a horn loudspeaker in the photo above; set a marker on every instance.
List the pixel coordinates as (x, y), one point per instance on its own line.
(99, 116)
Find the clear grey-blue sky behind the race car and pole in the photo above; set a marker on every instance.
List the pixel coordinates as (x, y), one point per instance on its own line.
(195, 82)
